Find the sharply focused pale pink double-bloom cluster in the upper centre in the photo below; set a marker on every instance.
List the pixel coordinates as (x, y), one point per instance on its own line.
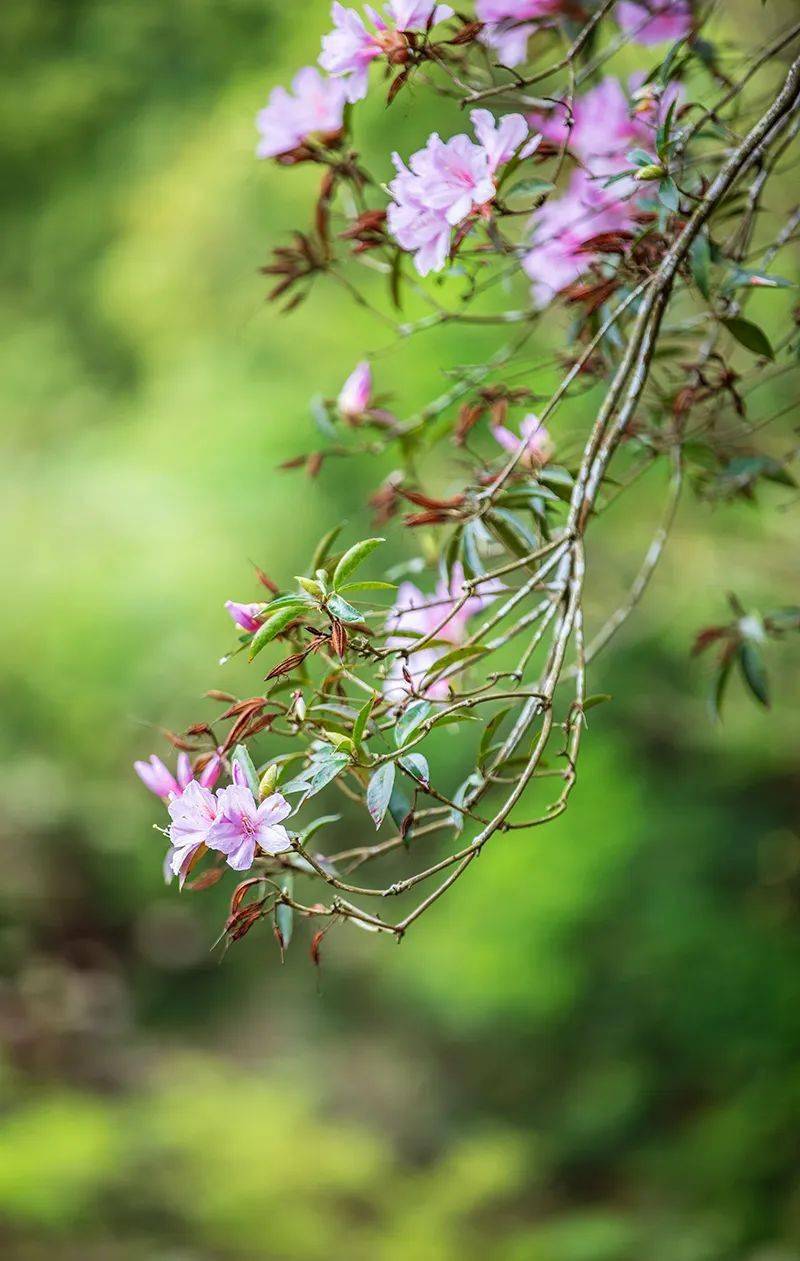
(449, 181)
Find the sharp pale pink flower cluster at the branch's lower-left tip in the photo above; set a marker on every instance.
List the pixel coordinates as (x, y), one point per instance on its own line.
(230, 822)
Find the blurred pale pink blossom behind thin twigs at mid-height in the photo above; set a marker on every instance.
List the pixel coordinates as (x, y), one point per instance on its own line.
(417, 616)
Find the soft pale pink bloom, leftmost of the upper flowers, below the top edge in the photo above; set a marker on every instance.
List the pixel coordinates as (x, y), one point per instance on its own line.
(316, 109)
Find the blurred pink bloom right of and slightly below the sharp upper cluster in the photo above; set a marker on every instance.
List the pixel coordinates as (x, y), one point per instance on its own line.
(563, 228)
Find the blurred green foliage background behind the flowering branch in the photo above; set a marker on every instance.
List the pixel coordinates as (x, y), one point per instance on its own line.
(591, 1050)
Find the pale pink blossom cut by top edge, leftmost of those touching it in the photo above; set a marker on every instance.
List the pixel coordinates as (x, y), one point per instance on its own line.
(351, 47)
